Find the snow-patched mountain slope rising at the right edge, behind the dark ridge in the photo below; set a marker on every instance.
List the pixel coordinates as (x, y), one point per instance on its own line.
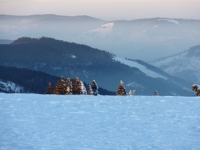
(185, 65)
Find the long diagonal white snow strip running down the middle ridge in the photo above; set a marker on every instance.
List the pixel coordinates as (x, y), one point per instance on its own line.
(144, 69)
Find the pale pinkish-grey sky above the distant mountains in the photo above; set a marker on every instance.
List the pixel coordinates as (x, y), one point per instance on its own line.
(105, 9)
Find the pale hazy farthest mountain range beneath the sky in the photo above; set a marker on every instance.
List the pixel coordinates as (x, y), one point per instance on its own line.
(145, 39)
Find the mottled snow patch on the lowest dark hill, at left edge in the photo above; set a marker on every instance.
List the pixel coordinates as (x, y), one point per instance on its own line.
(10, 86)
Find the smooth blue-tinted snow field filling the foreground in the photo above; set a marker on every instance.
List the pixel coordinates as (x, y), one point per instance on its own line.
(31, 121)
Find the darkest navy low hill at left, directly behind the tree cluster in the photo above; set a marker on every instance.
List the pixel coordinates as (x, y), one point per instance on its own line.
(23, 80)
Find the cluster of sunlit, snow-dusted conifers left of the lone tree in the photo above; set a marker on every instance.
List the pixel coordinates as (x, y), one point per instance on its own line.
(77, 88)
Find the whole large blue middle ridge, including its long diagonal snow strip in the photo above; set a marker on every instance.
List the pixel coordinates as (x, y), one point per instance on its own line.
(70, 59)
